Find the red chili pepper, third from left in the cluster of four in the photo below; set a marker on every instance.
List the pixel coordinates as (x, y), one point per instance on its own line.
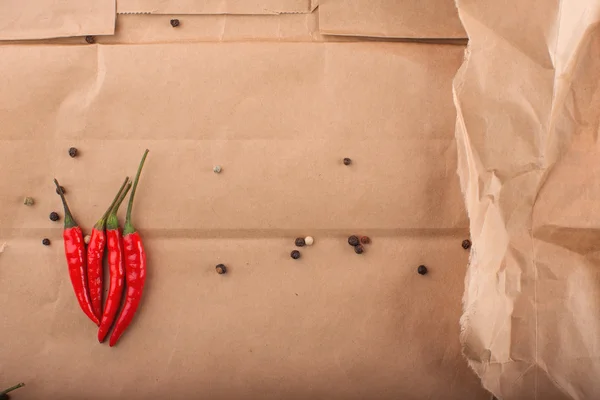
(115, 268)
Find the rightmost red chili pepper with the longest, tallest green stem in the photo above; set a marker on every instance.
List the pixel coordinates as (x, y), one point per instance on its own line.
(135, 266)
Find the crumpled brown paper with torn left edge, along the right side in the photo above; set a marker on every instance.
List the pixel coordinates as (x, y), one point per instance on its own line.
(527, 131)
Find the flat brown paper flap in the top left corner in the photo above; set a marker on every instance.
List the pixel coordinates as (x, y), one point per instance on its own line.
(40, 19)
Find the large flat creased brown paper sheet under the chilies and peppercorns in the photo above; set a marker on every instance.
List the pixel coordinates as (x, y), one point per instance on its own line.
(278, 112)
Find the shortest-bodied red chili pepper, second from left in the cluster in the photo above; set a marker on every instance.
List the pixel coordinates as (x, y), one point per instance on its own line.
(95, 253)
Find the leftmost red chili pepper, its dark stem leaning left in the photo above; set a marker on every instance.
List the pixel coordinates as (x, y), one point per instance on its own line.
(75, 252)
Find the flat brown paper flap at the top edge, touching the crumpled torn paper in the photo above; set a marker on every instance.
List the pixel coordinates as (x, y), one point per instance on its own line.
(391, 18)
